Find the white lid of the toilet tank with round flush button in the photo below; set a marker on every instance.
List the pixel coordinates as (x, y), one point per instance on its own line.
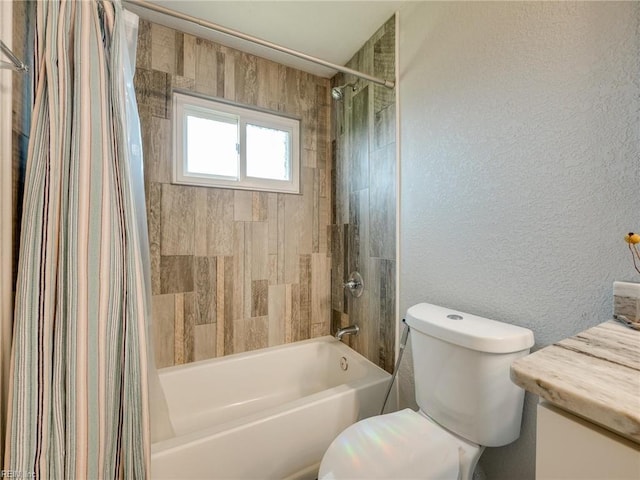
(467, 330)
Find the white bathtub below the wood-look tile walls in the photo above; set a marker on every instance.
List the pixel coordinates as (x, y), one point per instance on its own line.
(268, 414)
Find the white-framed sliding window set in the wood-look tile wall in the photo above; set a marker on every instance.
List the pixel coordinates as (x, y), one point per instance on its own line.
(224, 145)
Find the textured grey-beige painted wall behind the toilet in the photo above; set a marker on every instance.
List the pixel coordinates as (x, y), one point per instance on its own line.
(520, 142)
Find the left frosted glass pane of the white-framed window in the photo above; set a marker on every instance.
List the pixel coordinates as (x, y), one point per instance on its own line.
(212, 147)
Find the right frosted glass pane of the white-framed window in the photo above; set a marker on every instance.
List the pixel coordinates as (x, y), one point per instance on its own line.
(268, 153)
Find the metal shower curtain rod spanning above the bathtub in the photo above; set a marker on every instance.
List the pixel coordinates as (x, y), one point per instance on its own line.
(259, 41)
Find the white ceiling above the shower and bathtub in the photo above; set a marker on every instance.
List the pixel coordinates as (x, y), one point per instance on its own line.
(331, 30)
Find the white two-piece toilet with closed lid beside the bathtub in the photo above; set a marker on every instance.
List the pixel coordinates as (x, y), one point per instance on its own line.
(466, 398)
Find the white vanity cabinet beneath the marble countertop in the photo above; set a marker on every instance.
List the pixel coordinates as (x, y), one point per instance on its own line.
(568, 447)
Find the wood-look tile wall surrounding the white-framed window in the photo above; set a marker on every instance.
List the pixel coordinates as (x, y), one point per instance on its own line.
(232, 270)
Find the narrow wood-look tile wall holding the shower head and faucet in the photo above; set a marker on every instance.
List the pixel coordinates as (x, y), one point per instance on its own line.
(364, 211)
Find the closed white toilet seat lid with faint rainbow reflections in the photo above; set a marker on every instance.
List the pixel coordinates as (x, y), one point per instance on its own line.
(402, 444)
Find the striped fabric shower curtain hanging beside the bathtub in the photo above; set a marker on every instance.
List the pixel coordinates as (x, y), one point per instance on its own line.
(78, 405)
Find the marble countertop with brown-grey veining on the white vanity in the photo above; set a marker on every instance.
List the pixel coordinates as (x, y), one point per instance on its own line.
(594, 374)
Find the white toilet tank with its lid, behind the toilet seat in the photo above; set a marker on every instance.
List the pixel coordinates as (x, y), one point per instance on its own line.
(461, 366)
